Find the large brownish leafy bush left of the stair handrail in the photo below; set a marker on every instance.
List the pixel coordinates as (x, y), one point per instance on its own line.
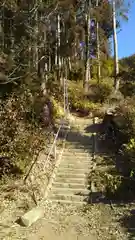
(20, 133)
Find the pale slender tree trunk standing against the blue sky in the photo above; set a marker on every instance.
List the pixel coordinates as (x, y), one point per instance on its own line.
(116, 63)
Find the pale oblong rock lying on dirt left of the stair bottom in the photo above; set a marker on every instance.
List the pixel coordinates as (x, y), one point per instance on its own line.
(32, 216)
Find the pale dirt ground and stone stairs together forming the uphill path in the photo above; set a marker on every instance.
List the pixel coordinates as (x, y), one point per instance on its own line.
(73, 220)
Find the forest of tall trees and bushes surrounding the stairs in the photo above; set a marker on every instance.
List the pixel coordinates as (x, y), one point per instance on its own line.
(49, 48)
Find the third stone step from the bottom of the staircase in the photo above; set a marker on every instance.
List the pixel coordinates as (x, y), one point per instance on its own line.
(69, 185)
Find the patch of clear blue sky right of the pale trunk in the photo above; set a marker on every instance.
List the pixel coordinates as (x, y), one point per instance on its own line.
(126, 37)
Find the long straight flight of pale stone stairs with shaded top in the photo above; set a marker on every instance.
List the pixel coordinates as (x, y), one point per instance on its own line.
(70, 182)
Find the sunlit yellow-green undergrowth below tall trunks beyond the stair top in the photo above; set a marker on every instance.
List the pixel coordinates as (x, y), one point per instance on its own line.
(91, 102)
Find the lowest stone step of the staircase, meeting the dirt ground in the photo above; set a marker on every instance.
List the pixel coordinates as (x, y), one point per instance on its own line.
(69, 197)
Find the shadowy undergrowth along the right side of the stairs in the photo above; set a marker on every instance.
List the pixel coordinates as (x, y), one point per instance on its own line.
(118, 178)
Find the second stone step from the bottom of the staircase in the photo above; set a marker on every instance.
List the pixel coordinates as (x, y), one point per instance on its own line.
(73, 191)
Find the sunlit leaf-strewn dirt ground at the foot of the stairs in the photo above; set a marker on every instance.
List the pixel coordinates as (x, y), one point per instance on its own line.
(63, 222)
